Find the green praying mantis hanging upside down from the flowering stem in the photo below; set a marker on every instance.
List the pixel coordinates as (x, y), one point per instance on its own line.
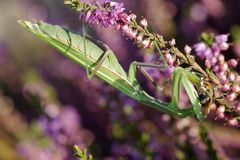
(104, 64)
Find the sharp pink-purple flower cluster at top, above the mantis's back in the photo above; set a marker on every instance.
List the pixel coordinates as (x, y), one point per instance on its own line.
(111, 14)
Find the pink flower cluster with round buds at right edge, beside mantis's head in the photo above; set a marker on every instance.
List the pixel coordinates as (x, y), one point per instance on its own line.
(225, 70)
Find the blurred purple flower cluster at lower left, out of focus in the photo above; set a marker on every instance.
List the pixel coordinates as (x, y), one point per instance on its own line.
(64, 127)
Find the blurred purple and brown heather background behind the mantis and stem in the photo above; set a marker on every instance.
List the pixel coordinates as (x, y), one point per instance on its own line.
(47, 104)
